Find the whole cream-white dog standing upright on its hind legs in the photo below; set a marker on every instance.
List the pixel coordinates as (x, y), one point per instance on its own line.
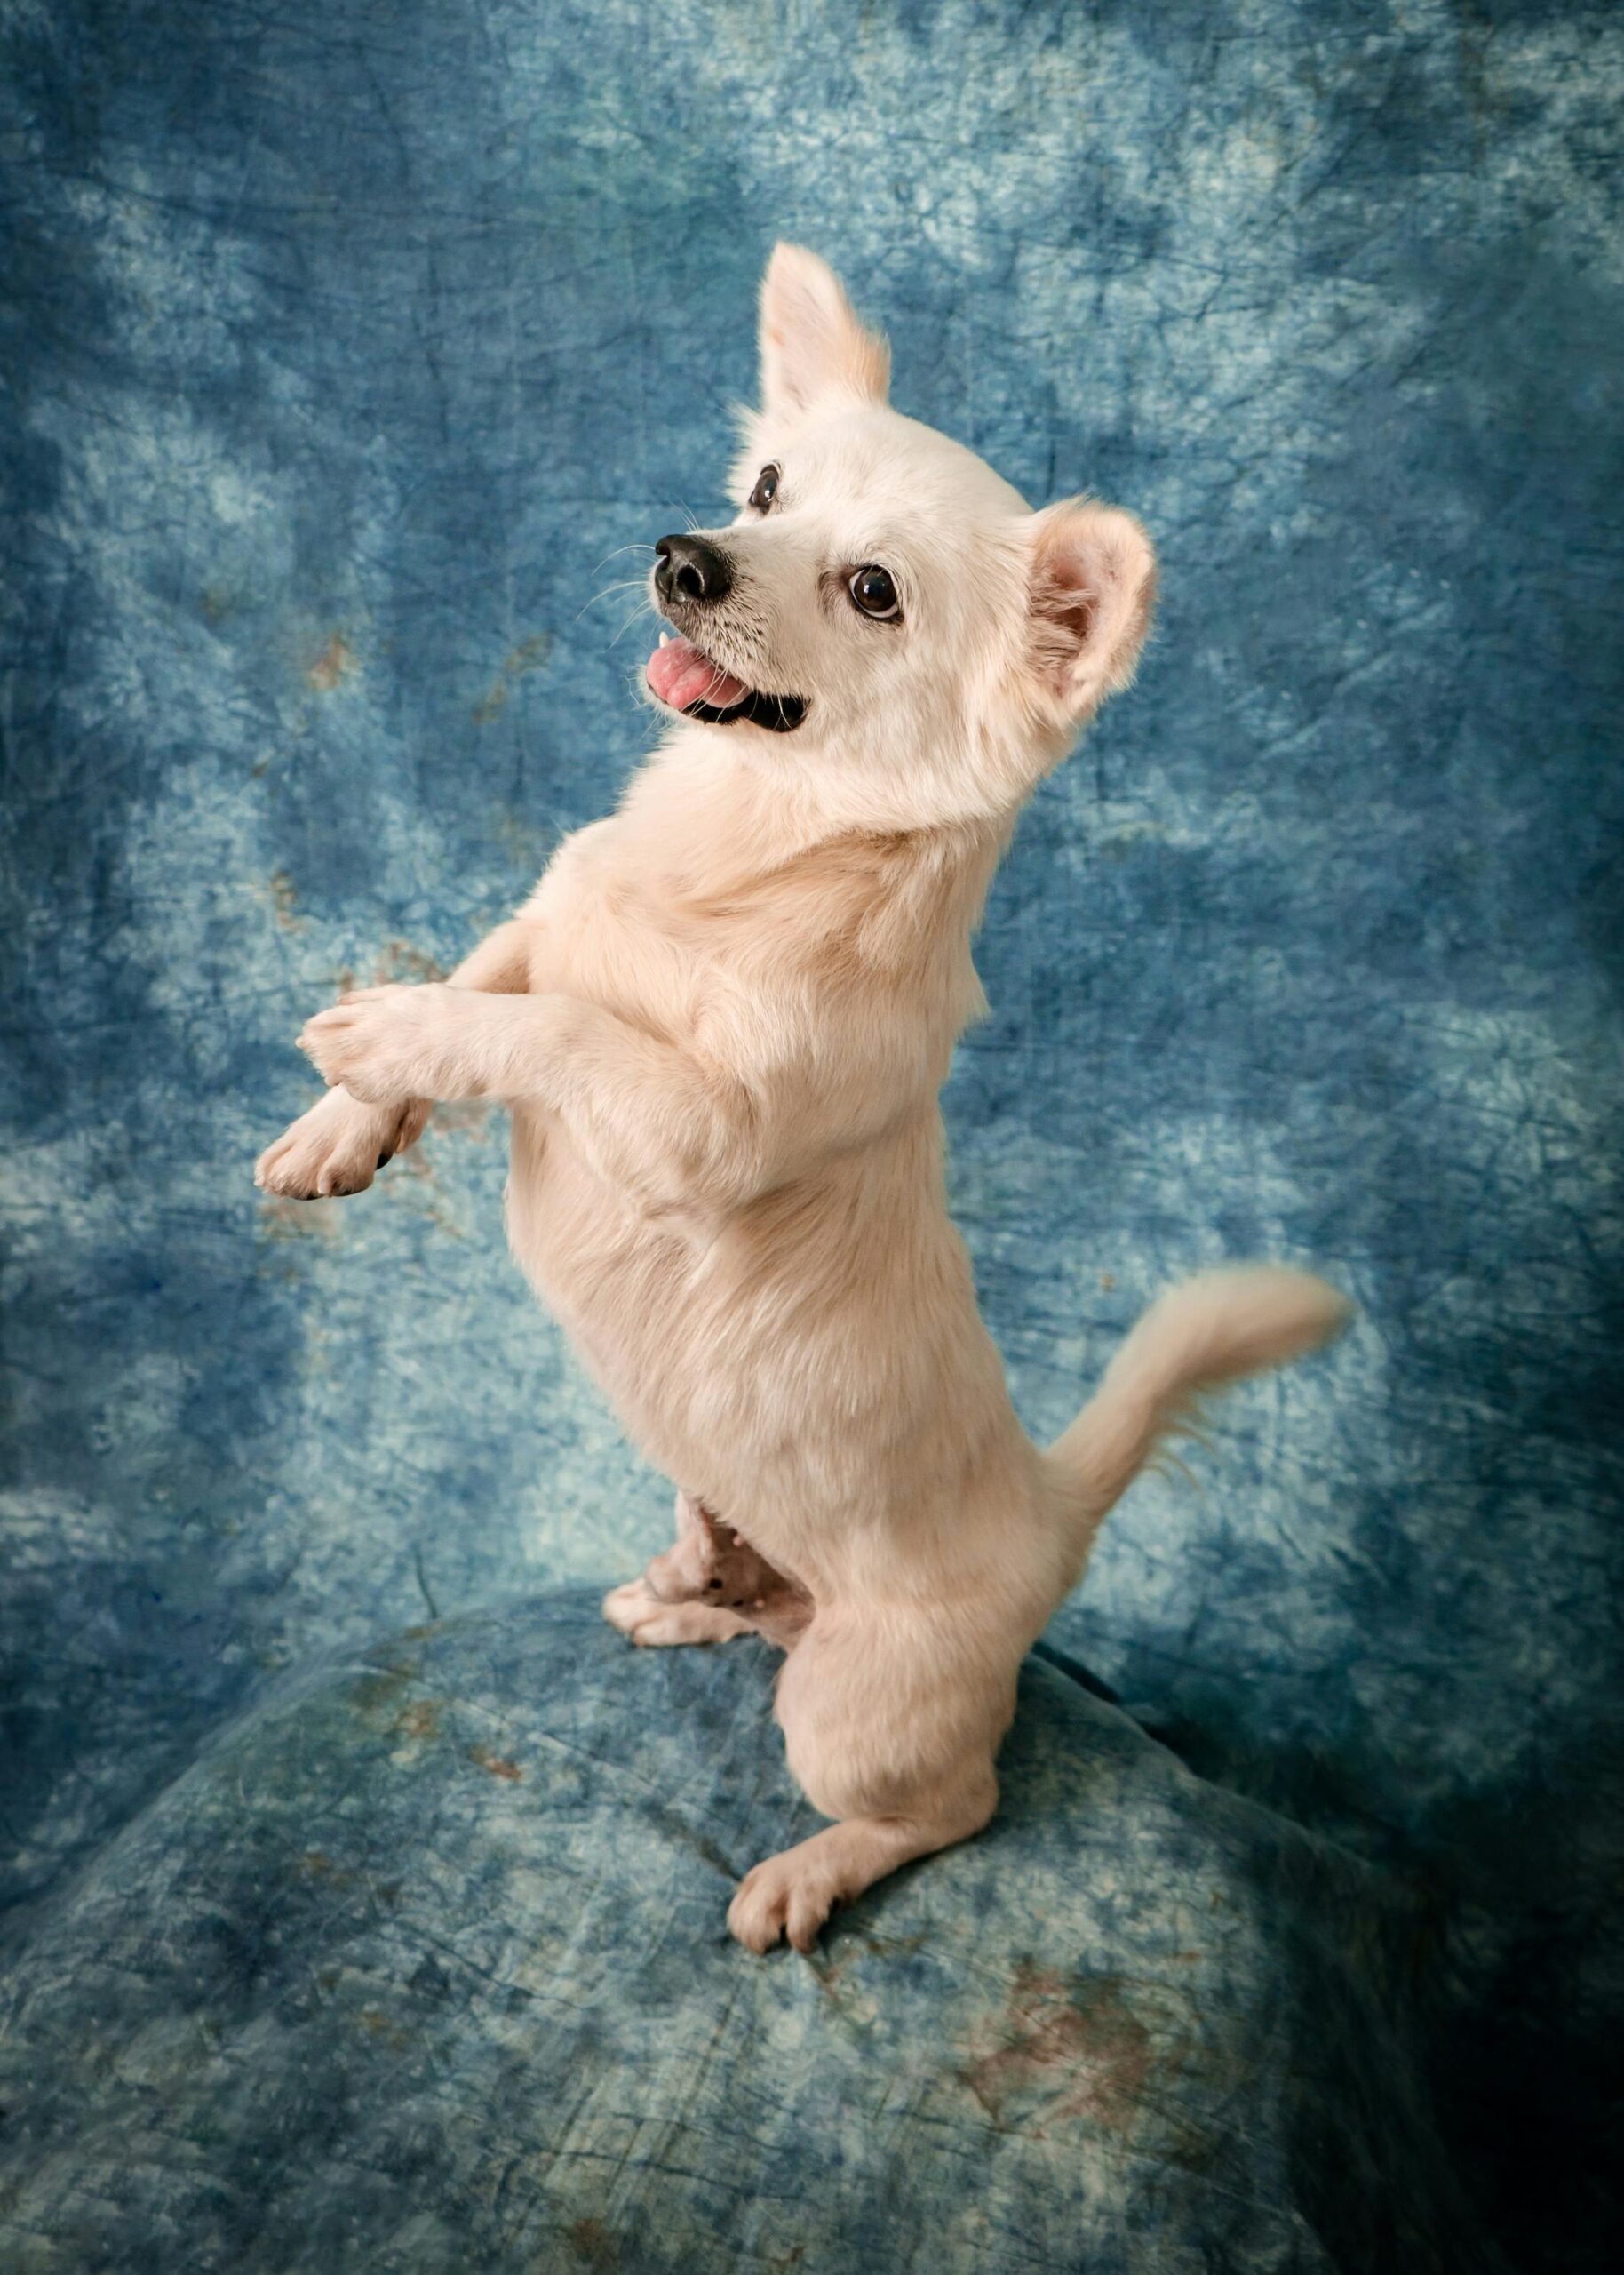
(722, 1025)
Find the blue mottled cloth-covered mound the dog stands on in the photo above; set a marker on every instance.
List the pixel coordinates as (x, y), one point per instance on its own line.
(461, 1999)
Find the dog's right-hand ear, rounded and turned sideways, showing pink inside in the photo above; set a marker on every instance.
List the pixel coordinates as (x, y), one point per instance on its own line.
(1093, 588)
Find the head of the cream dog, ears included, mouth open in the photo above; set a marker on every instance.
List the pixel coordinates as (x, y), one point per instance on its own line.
(886, 613)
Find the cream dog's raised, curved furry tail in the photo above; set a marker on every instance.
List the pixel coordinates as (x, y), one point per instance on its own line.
(1200, 1337)
